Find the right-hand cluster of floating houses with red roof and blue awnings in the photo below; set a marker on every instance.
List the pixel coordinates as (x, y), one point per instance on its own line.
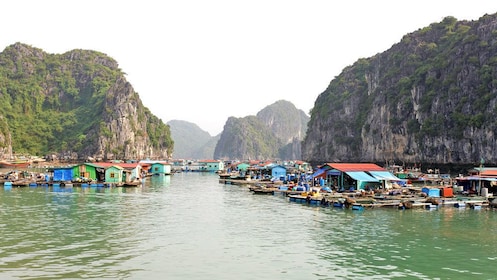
(360, 186)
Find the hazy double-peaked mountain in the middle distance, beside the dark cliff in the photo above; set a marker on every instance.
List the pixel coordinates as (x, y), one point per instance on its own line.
(274, 133)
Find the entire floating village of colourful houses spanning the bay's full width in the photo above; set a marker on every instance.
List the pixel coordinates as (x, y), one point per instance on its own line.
(355, 186)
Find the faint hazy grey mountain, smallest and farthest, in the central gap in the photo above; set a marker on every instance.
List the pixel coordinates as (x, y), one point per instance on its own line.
(190, 141)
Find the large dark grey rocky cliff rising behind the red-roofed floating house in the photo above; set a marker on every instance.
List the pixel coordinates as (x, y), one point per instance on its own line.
(431, 97)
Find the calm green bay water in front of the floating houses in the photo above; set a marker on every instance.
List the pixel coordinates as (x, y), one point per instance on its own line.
(188, 226)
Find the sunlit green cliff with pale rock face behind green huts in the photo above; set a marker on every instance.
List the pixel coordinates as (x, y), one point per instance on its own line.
(77, 105)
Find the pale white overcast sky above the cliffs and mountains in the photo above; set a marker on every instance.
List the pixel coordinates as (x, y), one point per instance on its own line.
(205, 61)
